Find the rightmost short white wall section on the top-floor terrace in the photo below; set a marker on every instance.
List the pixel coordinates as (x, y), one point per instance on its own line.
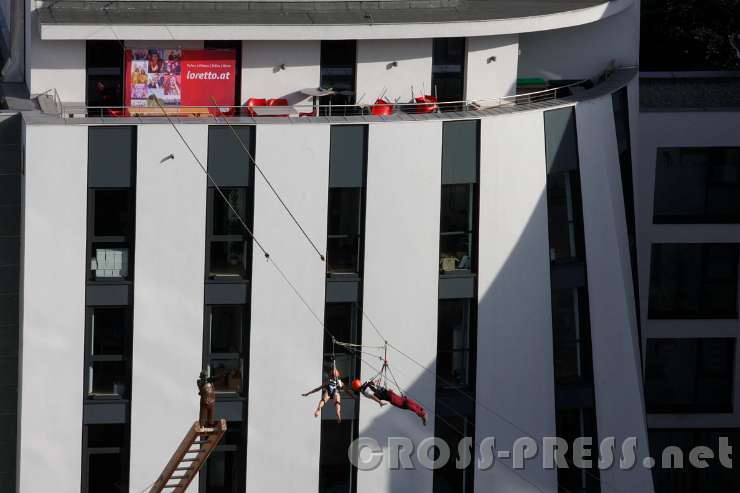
(494, 78)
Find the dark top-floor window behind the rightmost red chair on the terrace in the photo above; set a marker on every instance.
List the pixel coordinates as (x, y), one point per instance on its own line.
(448, 69)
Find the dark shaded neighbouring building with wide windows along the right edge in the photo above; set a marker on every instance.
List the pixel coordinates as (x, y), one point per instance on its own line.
(688, 214)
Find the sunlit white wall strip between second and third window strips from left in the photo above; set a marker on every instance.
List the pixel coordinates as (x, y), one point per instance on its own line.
(286, 341)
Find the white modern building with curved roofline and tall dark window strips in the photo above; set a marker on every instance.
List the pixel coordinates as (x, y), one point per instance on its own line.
(471, 170)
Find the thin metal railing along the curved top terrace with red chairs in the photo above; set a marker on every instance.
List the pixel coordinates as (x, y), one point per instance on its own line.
(422, 105)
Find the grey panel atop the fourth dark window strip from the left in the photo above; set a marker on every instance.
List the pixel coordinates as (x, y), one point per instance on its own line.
(460, 152)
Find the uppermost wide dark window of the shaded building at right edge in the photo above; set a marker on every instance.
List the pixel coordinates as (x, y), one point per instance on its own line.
(697, 185)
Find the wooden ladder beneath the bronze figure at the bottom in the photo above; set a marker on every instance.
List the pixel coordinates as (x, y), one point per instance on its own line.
(189, 458)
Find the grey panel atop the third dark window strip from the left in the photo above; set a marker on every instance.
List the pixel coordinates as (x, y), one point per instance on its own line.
(347, 155)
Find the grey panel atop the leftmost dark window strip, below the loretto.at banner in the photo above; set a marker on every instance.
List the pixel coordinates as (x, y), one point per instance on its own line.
(111, 156)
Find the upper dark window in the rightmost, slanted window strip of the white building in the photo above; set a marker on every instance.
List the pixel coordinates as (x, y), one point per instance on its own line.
(563, 206)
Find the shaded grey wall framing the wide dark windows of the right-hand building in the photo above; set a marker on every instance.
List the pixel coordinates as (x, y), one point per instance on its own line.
(683, 129)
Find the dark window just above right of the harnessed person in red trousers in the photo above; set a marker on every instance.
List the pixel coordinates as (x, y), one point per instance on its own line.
(455, 333)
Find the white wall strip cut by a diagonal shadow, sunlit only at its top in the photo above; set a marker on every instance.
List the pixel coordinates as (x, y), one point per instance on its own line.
(515, 384)
